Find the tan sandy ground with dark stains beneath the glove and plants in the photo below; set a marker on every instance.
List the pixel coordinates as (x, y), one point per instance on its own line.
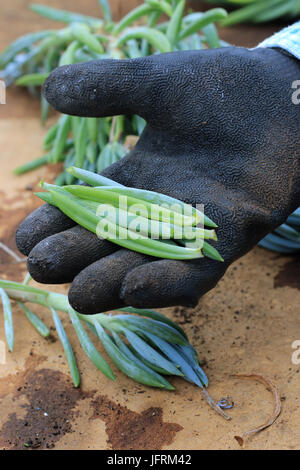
(248, 323)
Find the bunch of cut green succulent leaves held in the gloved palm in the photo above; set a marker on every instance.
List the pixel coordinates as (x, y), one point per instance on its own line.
(149, 223)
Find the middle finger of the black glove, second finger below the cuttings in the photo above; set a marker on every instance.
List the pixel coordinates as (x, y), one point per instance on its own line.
(59, 258)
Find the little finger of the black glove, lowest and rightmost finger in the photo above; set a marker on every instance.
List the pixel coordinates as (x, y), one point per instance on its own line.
(166, 283)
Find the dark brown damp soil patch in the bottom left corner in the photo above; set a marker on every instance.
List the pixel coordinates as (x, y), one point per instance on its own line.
(50, 407)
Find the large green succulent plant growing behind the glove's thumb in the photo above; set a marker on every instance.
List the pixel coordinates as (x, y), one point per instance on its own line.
(91, 143)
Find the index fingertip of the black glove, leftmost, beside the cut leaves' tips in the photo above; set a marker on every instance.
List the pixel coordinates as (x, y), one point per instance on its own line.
(43, 222)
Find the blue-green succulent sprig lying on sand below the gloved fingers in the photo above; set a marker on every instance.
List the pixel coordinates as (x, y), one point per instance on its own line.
(144, 344)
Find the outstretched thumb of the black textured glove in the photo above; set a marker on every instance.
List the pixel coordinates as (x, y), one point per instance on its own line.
(102, 87)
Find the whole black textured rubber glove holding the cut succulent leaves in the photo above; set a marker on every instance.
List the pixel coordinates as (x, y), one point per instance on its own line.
(221, 131)
